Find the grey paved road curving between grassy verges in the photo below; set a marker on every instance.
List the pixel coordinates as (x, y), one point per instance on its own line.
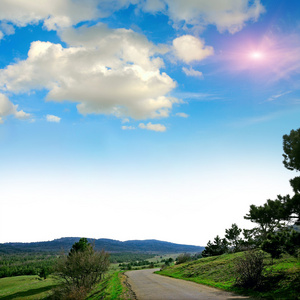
(149, 286)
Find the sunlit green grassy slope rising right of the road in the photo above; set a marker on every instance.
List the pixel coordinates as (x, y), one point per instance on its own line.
(281, 279)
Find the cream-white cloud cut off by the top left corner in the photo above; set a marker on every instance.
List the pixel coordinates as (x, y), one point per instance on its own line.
(58, 13)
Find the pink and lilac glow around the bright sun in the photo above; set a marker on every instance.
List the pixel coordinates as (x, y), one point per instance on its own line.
(271, 58)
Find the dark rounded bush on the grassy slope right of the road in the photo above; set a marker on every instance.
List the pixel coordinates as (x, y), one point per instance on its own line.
(249, 269)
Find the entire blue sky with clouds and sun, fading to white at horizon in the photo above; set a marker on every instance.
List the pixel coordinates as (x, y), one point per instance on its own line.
(143, 119)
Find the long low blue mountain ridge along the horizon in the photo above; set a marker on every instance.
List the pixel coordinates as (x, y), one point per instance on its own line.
(146, 246)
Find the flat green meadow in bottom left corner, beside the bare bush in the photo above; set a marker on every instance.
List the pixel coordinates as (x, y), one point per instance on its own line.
(25, 287)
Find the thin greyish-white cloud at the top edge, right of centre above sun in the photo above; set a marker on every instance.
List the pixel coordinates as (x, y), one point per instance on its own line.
(230, 15)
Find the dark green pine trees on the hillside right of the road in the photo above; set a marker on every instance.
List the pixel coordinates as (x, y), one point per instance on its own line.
(276, 220)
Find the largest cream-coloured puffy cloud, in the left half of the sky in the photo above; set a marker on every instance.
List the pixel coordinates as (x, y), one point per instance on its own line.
(106, 71)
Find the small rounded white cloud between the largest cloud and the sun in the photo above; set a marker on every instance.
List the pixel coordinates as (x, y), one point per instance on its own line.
(189, 48)
